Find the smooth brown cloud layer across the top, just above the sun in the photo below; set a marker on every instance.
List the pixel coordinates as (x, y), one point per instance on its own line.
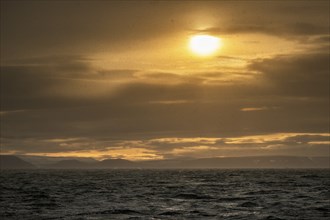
(33, 28)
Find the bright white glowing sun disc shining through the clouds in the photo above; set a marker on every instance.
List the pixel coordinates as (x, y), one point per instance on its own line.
(204, 45)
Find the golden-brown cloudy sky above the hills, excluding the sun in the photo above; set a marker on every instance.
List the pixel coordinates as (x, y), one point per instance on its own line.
(117, 79)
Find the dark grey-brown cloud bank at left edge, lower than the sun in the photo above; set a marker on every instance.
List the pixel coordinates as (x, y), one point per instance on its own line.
(56, 82)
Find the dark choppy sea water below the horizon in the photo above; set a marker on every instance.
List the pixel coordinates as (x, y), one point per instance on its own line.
(165, 194)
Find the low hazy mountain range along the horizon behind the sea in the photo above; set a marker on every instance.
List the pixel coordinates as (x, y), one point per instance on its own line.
(15, 162)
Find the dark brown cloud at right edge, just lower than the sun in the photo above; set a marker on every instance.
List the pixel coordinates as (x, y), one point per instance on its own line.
(296, 75)
